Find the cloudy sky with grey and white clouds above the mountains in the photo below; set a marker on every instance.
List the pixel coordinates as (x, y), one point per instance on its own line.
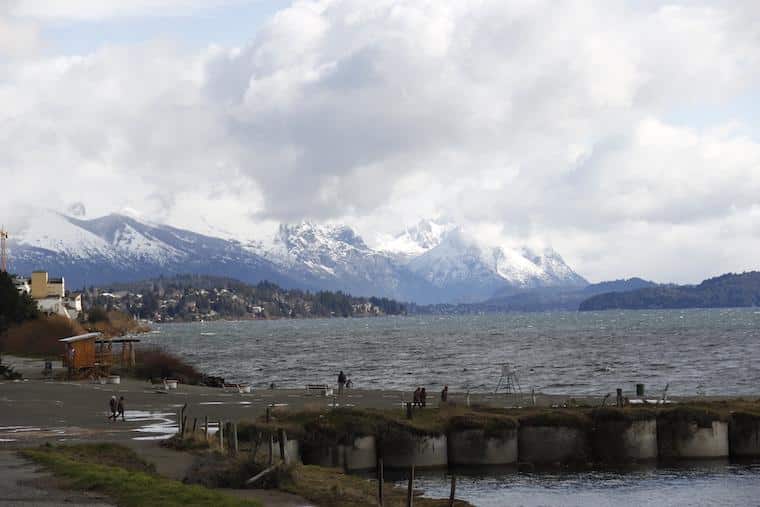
(624, 134)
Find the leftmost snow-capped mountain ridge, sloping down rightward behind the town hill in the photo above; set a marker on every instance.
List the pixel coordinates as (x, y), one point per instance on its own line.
(121, 248)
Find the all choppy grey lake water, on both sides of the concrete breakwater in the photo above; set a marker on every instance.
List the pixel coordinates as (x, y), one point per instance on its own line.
(710, 351)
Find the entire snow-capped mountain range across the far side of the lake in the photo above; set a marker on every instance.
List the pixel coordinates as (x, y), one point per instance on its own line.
(432, 262)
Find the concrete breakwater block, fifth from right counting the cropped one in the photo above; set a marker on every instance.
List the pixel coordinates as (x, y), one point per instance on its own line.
(475, 447)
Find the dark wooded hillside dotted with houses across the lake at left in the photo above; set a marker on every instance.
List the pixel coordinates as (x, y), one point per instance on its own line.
(188, 298)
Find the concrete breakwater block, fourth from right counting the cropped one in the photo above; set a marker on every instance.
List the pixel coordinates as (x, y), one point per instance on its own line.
(553, 444)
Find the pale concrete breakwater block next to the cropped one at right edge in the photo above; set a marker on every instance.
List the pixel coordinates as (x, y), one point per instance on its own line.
(692, 436)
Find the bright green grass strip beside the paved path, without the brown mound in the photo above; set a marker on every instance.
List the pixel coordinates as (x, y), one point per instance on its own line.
(129, 488)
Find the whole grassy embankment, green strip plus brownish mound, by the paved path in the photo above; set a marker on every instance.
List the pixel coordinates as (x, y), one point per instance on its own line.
(120, 474)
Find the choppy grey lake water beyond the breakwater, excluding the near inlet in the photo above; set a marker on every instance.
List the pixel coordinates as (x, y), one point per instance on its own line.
(710, 351)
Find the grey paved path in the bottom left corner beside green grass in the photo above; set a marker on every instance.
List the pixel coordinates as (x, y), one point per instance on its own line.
(22, 483)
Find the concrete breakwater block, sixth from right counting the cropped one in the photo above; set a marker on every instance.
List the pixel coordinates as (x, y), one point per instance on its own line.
(422, 451)
